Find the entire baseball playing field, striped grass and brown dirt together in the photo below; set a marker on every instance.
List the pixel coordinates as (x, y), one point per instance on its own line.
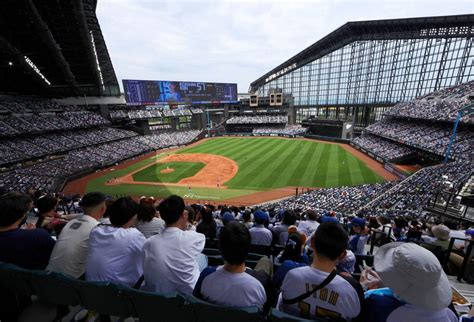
(239, 168)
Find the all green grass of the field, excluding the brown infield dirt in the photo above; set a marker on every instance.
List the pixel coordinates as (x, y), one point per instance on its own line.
(264, 163)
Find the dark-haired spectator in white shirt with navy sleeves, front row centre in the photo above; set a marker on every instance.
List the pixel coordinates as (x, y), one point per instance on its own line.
(233, 284)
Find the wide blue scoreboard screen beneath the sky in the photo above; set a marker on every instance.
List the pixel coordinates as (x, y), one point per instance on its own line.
(144, 92)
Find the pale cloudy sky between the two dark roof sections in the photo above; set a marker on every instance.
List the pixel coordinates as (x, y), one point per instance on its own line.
(230, 40)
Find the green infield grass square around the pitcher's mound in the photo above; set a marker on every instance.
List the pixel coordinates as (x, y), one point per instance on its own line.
(181, 170)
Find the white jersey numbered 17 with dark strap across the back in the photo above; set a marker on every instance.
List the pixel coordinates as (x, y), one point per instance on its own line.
(338, 299)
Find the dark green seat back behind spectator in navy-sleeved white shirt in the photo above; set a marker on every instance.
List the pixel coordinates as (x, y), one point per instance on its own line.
(207, 312)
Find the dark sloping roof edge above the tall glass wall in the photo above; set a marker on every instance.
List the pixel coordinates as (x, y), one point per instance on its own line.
(409, 28)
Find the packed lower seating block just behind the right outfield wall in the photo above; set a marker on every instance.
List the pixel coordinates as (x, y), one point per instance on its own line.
(384, 148)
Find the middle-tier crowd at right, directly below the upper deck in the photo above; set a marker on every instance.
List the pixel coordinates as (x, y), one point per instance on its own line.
(431, 137)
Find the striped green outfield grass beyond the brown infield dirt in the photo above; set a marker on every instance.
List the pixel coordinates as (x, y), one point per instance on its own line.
(269, 163)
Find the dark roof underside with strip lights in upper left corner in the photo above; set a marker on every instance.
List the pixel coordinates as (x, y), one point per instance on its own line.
(54, 48)
